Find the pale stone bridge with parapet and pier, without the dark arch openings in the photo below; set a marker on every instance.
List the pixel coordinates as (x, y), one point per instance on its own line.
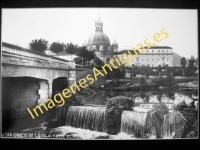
(21, 62)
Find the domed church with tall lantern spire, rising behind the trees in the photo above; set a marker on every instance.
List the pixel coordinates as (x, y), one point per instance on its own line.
(100, 43)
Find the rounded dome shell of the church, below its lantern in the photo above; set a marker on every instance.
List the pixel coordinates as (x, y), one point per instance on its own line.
(99, 38)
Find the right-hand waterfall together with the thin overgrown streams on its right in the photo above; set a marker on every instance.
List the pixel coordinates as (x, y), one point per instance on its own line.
(135, 123)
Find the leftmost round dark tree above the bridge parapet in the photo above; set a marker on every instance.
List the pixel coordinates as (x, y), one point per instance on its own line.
(39, 45)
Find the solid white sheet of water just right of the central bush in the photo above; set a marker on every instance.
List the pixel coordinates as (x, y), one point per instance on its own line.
(133, 122)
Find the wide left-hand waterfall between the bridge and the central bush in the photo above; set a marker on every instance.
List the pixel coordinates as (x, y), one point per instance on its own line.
(87, 117)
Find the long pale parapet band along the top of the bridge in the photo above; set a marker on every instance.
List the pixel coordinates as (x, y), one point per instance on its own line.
(12, 54)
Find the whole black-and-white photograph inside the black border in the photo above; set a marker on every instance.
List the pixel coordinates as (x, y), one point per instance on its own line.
(99, 73)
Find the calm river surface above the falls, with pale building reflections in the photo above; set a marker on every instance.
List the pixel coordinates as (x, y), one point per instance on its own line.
(175, 96)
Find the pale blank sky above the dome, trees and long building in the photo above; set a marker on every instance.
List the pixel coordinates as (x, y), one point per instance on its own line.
(128, 26)
